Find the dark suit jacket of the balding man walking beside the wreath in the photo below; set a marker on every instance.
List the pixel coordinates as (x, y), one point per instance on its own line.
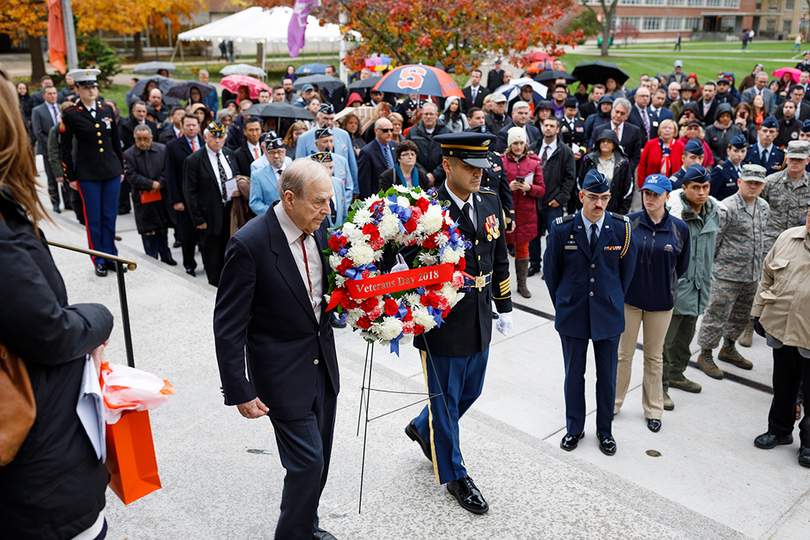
(282, 347)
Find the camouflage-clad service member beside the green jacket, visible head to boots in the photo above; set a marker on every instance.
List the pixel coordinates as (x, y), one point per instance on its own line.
(736, 270)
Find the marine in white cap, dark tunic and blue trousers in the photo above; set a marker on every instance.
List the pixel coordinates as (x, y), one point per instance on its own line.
(99, 166)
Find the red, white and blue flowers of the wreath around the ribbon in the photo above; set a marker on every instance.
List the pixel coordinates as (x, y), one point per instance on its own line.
(401, 217)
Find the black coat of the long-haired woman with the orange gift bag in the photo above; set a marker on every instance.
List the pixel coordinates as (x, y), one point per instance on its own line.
(55, 487)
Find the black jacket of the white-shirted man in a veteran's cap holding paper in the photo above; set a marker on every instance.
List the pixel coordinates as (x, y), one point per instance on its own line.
(202, 190)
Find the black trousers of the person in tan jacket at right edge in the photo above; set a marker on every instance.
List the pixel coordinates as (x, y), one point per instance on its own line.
(790, 371)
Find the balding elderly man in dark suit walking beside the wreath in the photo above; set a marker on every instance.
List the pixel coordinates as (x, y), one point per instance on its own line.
(276, 260)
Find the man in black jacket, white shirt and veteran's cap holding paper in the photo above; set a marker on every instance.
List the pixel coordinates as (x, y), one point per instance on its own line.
(206, 177)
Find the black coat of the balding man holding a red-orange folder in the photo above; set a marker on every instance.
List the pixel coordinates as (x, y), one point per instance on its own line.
(141, 169)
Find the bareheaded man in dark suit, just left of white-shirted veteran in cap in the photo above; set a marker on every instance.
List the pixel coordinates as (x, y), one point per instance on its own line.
(176, 153)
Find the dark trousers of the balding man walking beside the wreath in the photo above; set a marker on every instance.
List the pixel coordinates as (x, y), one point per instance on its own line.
(305, 449)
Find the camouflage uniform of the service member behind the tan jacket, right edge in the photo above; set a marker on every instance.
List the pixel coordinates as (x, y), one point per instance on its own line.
(788, 201)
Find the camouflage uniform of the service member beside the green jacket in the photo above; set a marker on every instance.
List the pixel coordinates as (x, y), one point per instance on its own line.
(737, 268)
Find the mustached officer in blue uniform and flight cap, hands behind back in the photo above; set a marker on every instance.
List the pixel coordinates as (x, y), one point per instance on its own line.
(589, 263)
